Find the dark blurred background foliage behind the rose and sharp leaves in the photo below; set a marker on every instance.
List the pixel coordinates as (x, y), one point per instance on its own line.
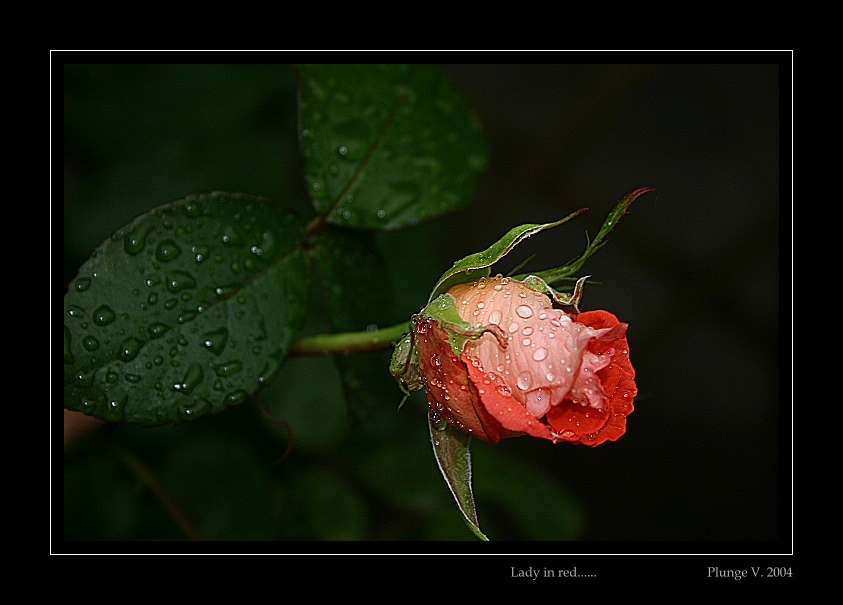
(695, 272)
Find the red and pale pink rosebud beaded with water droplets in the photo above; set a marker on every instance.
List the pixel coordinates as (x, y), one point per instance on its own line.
(498, 359)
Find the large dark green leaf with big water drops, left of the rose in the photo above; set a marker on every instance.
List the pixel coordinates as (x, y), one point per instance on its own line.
(185, 311)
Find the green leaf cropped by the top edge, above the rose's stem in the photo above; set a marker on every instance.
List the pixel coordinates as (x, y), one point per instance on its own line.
(386, 146)
